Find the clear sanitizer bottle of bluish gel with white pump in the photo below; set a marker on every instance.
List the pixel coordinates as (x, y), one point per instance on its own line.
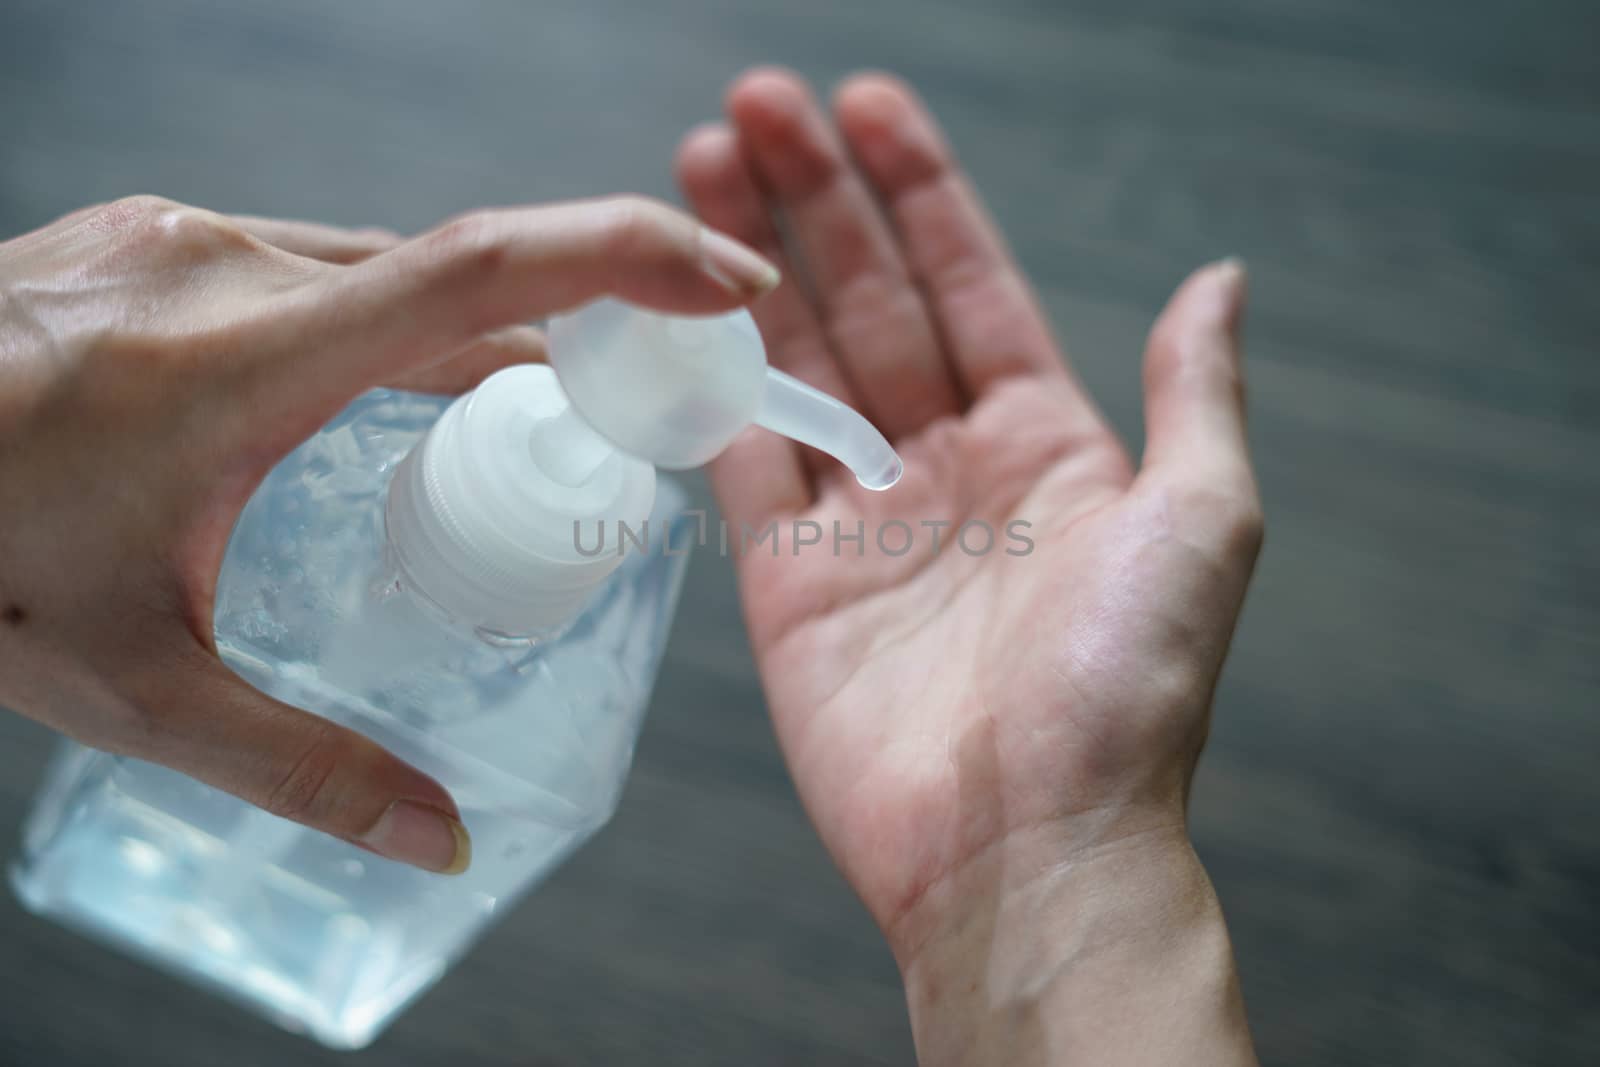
(482, 586)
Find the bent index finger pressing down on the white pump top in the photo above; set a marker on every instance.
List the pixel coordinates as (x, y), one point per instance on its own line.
(396, 313)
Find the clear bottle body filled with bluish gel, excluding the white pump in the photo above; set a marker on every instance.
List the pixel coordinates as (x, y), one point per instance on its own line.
(534, 741)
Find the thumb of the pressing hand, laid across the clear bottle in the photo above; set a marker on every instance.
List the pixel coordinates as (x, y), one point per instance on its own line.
(222, 732)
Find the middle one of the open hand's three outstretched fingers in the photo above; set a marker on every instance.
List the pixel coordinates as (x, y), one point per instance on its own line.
(870, 308)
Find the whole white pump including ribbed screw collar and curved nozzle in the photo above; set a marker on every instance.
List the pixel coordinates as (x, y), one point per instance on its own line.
(500, 516)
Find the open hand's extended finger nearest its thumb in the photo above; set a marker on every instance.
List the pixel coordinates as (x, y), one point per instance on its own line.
(985, 308)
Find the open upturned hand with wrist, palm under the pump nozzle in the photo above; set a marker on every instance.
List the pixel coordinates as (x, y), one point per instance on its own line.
(996, 748)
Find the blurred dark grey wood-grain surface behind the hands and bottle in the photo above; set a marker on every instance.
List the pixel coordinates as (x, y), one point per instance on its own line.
(1401, 805)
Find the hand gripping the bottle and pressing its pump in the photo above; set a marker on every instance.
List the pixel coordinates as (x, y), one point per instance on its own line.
(158, 361)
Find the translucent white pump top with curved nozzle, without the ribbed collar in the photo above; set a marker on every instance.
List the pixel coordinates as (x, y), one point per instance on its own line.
(678, 391)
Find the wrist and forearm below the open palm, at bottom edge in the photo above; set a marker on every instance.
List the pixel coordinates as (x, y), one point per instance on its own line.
(1119, 957)
